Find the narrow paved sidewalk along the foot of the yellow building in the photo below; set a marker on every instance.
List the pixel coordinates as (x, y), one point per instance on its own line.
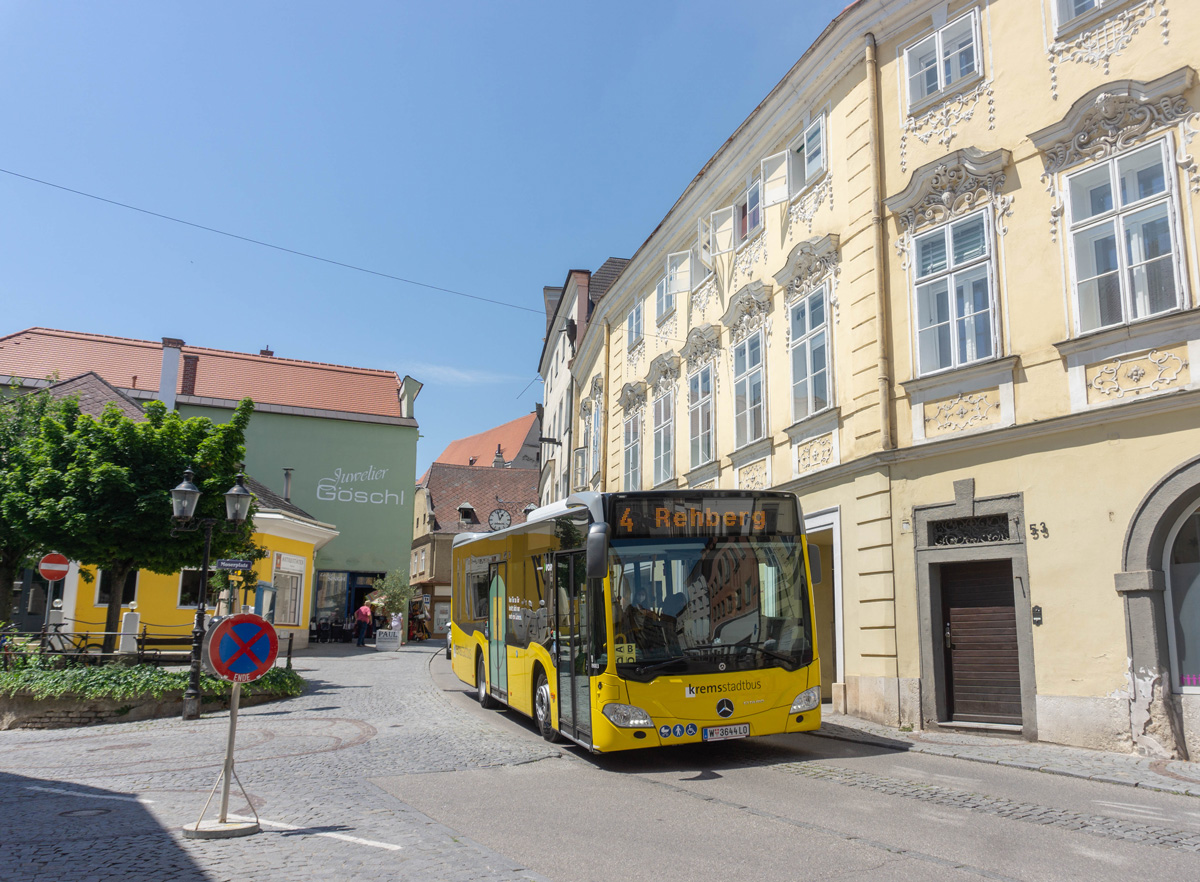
(1129, 770)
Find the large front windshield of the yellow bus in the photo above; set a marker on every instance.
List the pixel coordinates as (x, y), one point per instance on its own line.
(709, 605)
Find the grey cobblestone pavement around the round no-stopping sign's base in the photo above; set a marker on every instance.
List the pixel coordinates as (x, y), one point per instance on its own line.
(110, 802)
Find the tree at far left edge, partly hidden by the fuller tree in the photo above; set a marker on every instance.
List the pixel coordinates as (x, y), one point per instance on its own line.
(21, 418)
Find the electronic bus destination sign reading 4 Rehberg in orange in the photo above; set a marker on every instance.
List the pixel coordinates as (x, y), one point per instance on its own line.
(670, 515)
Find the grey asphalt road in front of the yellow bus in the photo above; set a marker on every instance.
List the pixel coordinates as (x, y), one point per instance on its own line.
(799, 807)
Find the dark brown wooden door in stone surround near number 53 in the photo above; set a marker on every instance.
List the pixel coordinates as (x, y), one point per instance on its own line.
(983, 675)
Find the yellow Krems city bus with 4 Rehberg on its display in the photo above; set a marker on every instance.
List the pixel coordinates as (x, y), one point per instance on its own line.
(625, 621)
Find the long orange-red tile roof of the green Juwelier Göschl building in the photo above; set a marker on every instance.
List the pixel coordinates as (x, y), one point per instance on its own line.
(136, 364)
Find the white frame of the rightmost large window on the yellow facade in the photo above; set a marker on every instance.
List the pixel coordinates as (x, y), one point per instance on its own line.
(1117, 215)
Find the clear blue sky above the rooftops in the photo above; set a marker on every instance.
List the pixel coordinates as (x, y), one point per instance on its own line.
(479, 147)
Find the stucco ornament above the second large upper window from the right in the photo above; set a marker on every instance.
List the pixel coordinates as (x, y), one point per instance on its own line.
(955, 185)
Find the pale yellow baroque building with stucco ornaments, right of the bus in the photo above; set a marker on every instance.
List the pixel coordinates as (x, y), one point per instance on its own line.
(944, 285)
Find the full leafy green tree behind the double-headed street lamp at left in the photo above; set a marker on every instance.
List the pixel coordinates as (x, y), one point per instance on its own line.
(99, 491)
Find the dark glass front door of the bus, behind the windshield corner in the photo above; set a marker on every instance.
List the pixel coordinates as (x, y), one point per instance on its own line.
(574, 655)
